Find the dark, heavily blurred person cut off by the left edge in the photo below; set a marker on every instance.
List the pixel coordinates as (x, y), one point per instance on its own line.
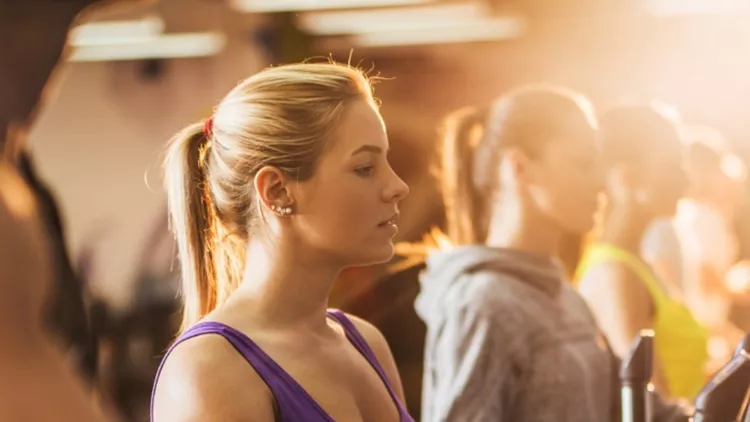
(38, 382)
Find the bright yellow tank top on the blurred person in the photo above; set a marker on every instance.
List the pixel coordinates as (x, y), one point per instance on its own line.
(681, 342)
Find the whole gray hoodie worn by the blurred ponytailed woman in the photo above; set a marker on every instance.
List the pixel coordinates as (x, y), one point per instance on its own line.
(509, 340)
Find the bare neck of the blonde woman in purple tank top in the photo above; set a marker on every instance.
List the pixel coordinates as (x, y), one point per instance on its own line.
(287, 288)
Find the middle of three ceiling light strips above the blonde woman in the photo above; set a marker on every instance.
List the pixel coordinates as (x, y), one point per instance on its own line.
(401, 19)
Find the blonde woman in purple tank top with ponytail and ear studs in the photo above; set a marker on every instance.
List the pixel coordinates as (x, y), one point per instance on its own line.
(270, 199)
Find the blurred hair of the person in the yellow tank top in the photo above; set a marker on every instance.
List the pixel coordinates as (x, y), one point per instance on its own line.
(628, 133)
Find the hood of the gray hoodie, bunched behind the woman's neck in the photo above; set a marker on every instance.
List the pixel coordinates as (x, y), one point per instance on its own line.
(445, 267)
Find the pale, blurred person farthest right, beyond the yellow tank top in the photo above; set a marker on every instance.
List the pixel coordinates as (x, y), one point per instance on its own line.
(696, 248)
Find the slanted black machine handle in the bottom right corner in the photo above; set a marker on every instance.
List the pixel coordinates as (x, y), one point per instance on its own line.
(725, 397)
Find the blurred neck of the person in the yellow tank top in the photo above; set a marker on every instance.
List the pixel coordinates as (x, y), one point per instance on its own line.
(624, 228)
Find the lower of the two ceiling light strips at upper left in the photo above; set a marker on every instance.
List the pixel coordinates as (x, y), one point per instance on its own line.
(170, 46)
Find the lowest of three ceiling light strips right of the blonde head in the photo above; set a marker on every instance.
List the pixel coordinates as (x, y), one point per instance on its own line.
(489, 30)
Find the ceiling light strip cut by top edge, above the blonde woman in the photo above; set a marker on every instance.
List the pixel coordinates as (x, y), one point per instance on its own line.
(300, 5)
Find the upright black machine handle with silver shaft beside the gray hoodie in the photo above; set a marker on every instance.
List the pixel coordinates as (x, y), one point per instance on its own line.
(635, 379)
